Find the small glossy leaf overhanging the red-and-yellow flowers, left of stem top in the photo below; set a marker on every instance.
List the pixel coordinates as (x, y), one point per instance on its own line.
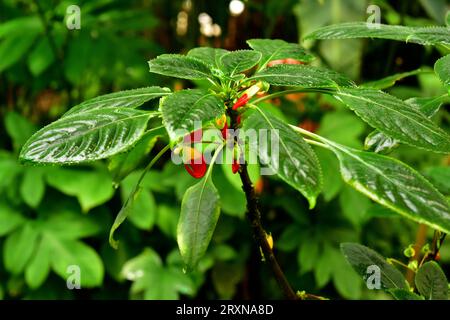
(183, 109)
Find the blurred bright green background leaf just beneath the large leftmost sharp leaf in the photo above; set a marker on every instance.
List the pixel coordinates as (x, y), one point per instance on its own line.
(91, 188)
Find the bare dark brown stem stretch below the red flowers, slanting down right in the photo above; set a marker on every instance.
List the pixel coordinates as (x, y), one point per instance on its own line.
(254, 216)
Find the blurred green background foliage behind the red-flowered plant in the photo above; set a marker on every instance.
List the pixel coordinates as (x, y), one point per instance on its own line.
(51, 218)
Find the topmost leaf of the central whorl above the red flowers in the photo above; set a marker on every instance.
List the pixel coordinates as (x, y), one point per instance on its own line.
(276, 49)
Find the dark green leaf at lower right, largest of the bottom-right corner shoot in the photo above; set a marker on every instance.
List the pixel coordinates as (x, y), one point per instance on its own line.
(361, 257)
